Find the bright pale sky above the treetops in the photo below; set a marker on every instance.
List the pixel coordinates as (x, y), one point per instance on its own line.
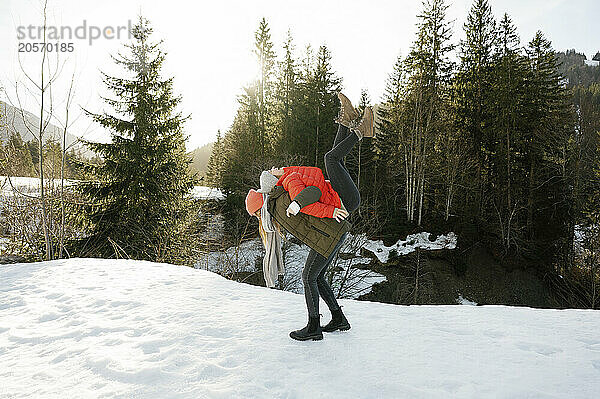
(209, 46)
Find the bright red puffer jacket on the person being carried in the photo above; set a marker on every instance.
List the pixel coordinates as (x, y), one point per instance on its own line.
(296, 178)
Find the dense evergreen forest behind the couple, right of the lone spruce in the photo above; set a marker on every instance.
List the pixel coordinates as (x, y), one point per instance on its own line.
(501, 146)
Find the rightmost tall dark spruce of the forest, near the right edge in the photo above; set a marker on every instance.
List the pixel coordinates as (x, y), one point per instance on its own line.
(550, 129)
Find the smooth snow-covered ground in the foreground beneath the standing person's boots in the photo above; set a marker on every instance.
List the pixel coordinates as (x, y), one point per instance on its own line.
(127, 329)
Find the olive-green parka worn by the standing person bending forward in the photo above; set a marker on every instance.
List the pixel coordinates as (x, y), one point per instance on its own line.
(320, 234)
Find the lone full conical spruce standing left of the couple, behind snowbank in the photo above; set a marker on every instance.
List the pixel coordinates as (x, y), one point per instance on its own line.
(137, 195)
